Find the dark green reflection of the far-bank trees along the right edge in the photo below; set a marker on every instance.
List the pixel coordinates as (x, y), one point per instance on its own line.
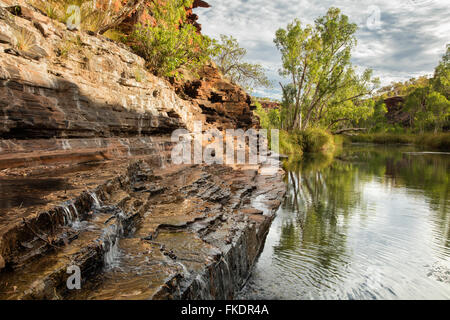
(426, 174)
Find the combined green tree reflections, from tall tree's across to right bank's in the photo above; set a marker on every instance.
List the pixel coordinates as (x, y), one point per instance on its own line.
(324, 192)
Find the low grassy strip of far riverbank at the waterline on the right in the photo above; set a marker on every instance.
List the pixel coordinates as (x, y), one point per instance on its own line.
(439, 141)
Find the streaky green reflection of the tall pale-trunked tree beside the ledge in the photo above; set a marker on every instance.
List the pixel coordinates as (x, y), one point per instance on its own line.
(322, 194)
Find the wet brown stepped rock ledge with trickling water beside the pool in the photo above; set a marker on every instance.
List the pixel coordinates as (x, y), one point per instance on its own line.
(183, 232)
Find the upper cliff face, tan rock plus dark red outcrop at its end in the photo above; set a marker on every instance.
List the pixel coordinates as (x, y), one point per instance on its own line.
(59, 84)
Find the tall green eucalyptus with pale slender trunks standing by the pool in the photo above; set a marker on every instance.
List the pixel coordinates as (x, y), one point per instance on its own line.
(316, 61)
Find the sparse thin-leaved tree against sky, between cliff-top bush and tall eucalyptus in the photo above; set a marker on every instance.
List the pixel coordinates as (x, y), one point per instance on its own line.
(229, 59)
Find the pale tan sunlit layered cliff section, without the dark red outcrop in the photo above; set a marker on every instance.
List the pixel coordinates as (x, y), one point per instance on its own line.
(67, 84)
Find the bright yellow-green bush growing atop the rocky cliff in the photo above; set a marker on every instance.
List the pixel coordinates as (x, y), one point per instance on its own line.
(171, 43)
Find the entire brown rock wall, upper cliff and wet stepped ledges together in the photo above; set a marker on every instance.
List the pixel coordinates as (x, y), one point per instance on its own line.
(86, 178)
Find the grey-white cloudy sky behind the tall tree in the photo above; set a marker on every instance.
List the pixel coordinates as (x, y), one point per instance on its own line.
(398, 39)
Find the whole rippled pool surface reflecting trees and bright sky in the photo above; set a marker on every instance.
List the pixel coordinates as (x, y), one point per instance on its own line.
(371, 223)
